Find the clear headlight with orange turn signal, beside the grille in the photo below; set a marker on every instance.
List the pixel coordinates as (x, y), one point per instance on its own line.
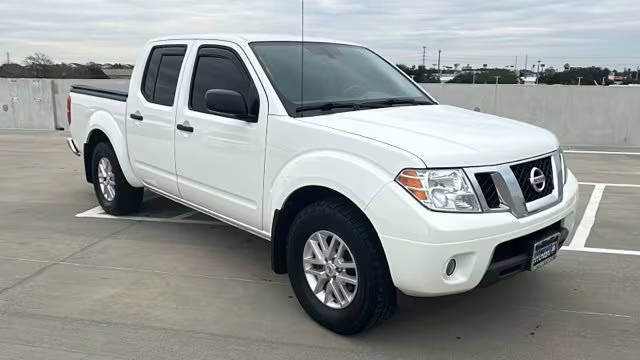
(440, 189)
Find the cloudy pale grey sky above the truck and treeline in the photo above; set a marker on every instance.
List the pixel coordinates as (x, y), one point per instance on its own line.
(587, 32)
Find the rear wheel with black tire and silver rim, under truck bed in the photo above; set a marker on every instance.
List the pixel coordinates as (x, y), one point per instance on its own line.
(115, 195)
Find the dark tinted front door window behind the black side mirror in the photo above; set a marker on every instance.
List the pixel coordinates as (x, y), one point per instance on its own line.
(218, 68)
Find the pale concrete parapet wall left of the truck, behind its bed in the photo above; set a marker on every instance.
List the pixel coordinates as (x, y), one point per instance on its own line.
(40, 104)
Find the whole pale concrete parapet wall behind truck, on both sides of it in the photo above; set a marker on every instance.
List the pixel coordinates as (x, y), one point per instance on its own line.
(578, 115)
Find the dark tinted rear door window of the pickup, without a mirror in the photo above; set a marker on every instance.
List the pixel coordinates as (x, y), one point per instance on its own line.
(161, 75)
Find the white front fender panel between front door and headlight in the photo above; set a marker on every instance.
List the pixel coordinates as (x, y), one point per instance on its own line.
(303, 154)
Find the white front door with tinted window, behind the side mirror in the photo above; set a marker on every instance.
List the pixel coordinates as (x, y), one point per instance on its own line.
(220, 165)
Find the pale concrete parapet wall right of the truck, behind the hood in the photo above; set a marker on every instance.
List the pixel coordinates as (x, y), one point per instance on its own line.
(578, 115)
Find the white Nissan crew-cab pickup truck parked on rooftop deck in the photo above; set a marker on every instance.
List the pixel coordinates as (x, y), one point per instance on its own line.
(363, 183)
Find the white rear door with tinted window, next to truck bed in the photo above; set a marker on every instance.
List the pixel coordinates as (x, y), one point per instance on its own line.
(151, 115)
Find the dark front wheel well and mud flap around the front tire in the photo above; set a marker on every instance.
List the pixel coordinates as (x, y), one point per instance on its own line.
(282, 219)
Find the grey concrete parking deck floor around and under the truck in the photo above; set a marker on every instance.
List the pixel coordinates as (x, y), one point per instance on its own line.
(192, 288)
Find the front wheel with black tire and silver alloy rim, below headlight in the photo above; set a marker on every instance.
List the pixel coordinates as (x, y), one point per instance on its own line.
(337, 268)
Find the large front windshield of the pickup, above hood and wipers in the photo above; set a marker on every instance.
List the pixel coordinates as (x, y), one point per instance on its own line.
(333, 77)
